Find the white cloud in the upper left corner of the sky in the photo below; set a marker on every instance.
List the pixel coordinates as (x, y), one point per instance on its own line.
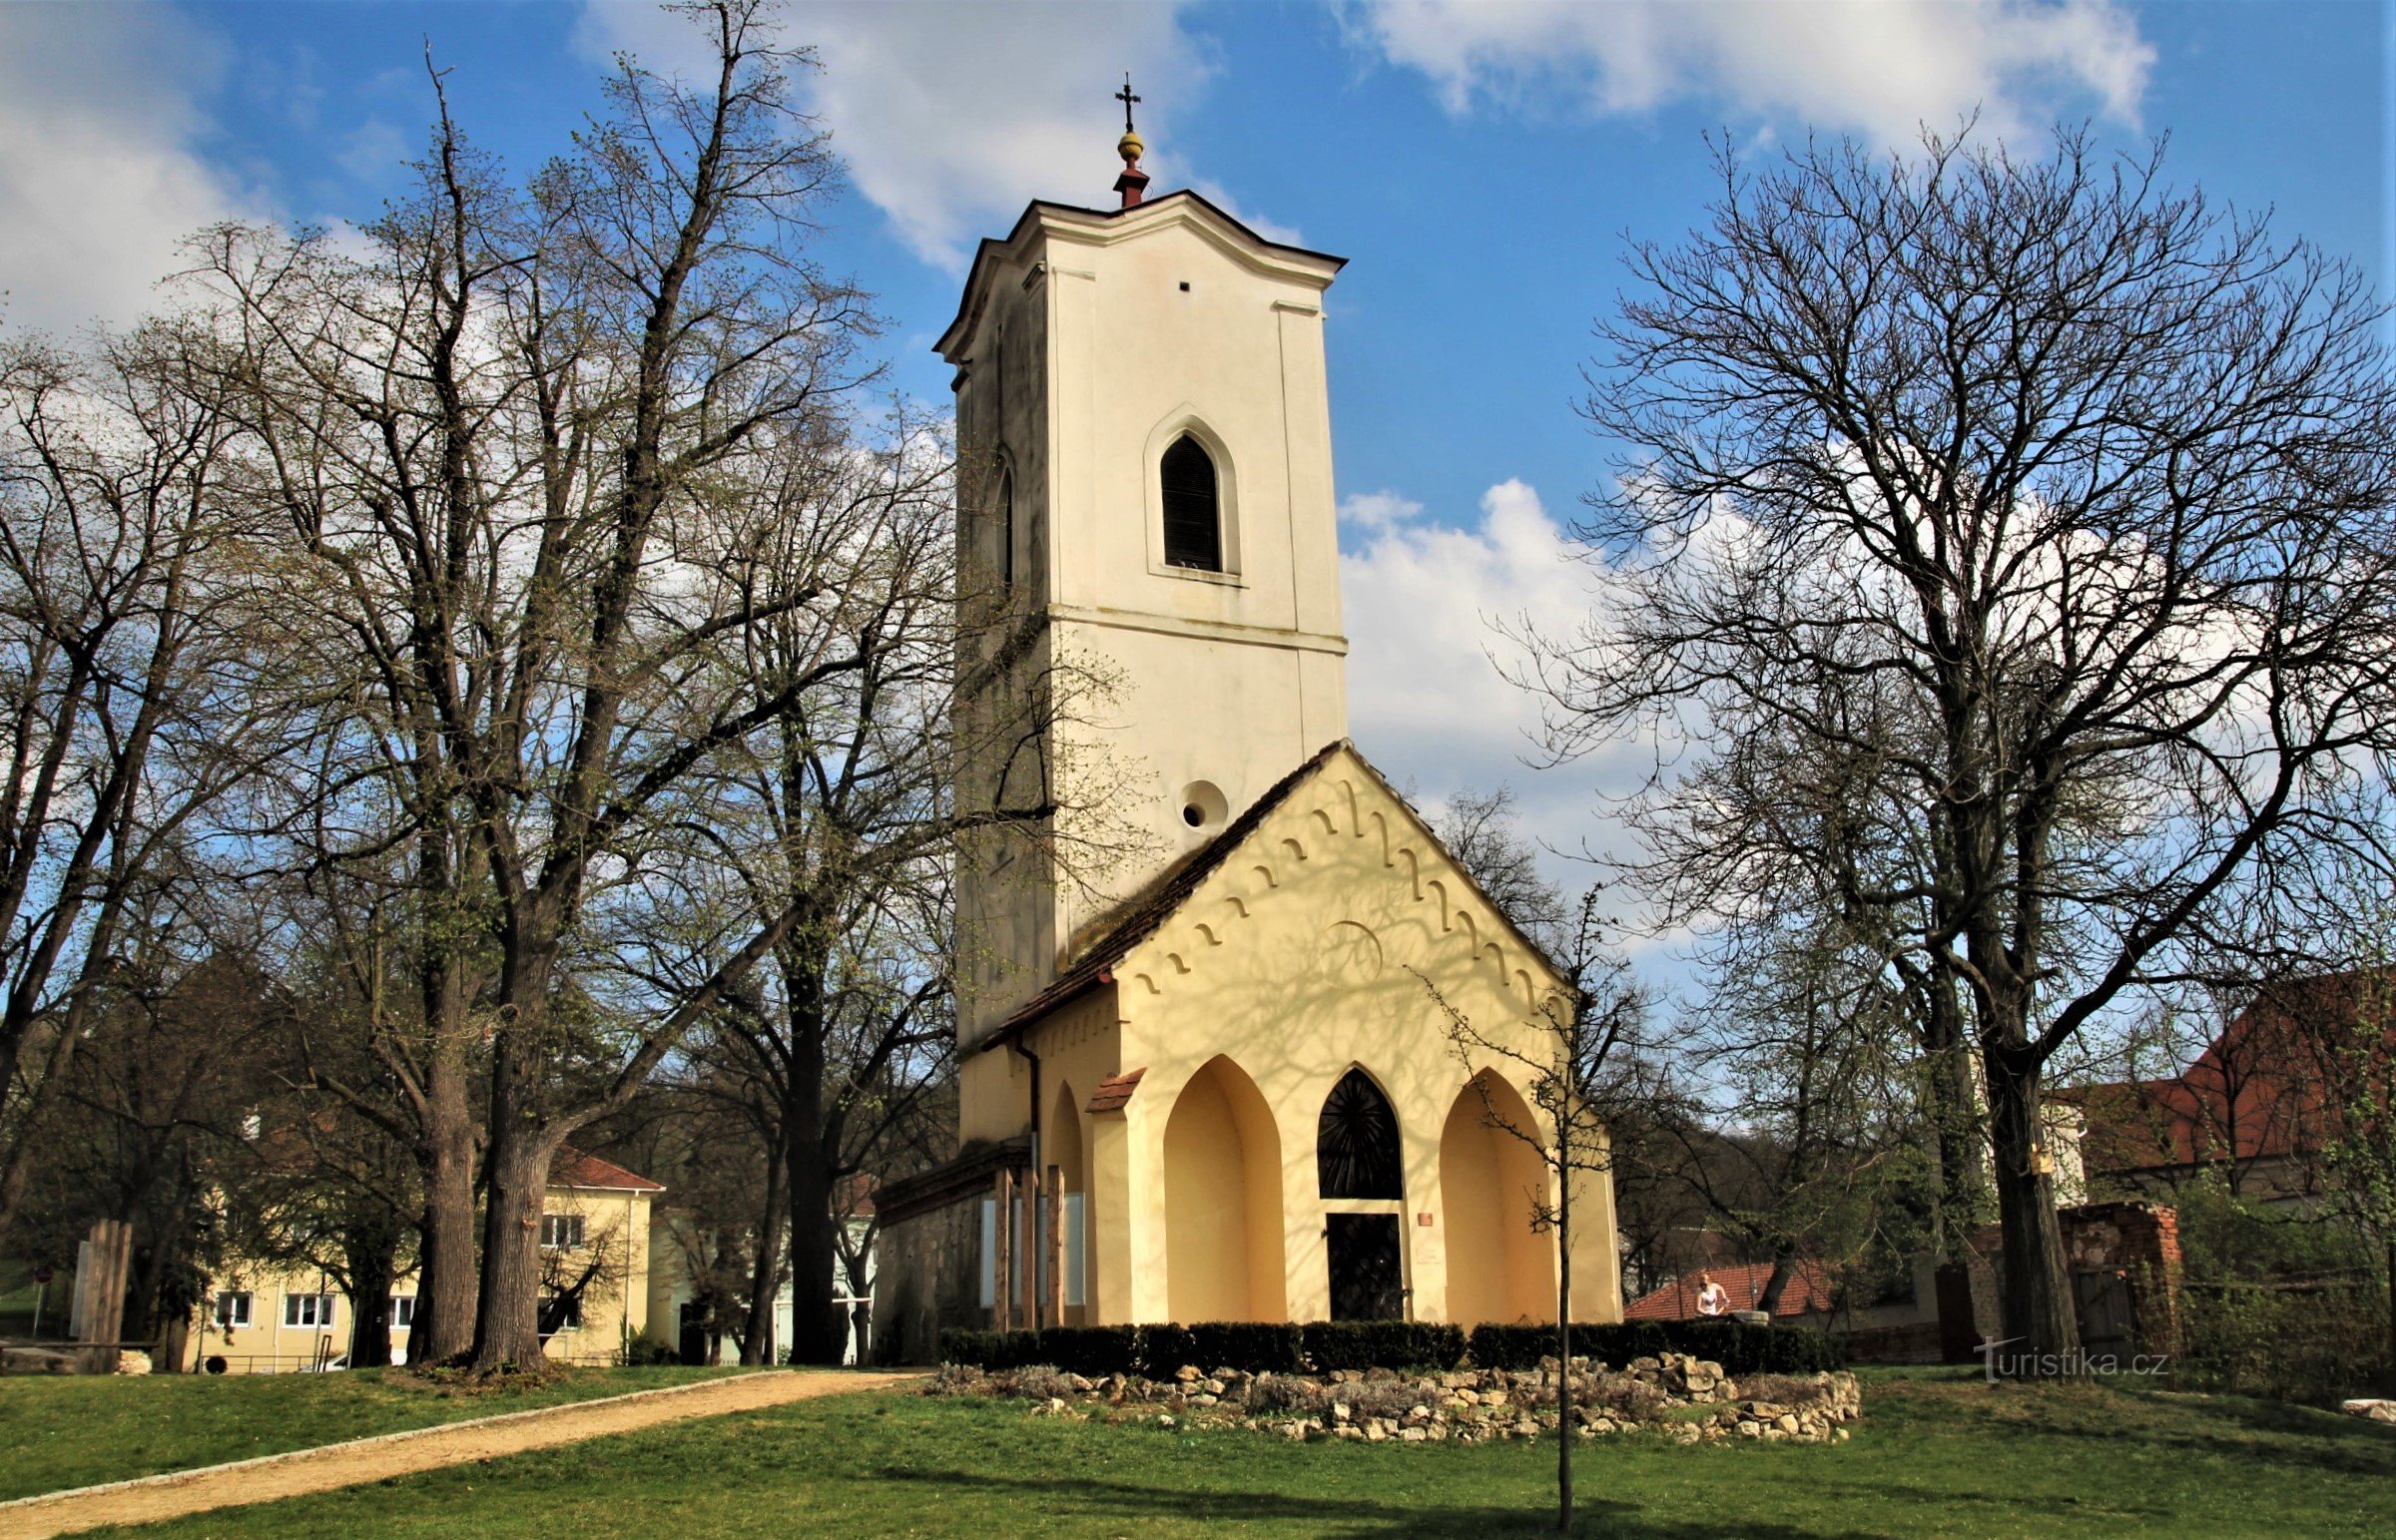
(99, 176)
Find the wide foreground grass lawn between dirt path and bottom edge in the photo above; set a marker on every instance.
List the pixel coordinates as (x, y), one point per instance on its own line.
(1937, 1455)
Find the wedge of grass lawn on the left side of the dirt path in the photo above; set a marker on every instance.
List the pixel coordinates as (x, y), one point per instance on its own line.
(66, 1431)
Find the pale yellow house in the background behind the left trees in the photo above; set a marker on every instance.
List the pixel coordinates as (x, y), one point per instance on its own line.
(274, 1318)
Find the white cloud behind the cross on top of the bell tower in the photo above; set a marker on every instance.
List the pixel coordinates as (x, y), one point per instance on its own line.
(952, 116)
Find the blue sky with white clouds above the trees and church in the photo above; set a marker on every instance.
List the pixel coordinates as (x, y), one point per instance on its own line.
(1480, 166)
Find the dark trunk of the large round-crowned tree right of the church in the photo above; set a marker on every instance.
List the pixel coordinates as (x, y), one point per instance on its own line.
(2038, 1302)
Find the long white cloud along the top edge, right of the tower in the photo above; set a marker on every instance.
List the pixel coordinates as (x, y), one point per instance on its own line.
(1875, 66)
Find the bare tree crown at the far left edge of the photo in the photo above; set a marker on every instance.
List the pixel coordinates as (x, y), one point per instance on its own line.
(126, 650)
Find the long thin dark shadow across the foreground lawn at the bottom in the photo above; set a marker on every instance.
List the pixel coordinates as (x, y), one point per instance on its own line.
(1343, 1517)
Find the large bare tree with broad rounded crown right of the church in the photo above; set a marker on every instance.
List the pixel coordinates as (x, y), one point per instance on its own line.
(2093, 480)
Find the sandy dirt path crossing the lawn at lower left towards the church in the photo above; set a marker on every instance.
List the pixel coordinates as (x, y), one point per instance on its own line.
(267, 1479)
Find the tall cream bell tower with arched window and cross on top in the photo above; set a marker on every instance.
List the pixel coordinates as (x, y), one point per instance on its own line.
(1149, 552)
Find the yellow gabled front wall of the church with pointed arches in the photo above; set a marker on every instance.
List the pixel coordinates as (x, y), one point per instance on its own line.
(1302, 957)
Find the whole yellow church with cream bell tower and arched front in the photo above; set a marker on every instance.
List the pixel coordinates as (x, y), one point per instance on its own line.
(1206, 1079)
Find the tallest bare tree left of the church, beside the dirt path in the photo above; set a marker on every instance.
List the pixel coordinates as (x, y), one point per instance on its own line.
(504, 444)
